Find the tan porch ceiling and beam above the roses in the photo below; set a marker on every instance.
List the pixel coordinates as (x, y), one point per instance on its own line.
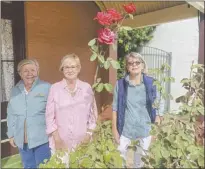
(153, 12)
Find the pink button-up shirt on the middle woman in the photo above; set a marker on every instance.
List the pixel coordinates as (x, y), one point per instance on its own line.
(70, 115)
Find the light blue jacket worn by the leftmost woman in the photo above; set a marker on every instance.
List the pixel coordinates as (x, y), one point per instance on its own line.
(31, 108)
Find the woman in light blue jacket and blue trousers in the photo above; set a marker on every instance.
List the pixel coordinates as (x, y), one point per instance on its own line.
(26, 115)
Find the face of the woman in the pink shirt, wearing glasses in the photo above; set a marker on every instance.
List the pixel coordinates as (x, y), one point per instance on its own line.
(71, 69)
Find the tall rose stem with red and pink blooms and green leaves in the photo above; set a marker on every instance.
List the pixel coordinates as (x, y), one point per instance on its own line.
(111, 21)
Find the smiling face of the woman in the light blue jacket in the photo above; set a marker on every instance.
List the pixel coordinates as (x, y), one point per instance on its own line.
(28, 73)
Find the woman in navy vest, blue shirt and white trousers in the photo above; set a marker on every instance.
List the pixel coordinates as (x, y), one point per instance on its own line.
(132, 108)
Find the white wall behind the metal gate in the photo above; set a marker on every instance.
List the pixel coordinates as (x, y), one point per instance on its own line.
(181, 38)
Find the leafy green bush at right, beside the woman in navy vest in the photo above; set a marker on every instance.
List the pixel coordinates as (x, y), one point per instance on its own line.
(175, 145)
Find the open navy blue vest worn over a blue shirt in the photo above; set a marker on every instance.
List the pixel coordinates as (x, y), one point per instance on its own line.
(151, 95)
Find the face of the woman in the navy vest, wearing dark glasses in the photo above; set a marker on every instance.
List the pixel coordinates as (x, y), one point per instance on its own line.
(134, 66)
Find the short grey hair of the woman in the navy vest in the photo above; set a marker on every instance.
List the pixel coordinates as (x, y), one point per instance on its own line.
(137, 56)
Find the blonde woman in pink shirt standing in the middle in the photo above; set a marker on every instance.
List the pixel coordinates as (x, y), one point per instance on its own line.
(71, 111)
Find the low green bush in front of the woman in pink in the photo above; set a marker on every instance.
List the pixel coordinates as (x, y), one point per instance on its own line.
(101, 152)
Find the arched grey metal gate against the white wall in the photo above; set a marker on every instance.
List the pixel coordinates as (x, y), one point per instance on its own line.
(155, 58)
